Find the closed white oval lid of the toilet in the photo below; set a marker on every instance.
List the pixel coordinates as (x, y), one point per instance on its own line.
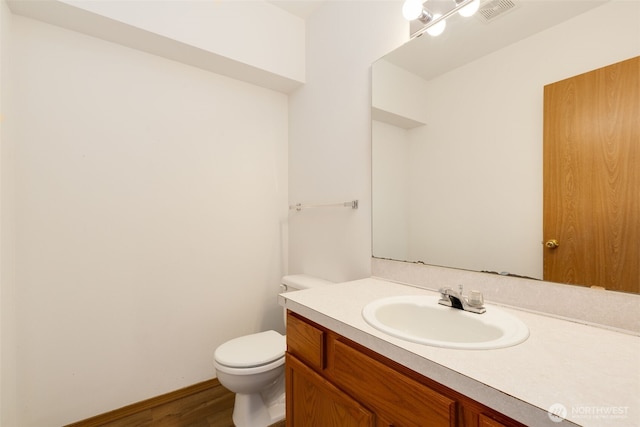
(252, 350)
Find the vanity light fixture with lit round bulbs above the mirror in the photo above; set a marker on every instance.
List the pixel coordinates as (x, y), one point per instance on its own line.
(435, 24)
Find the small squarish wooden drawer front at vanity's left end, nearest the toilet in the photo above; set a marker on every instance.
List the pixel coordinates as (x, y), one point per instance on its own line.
(305, 341)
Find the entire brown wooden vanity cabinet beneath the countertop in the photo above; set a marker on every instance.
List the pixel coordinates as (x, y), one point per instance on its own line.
(332, 381)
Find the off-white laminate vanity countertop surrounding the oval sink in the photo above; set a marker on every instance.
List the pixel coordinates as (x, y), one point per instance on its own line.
(593, 373)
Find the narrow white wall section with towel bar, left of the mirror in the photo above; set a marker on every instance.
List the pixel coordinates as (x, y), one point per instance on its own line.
(330, 132)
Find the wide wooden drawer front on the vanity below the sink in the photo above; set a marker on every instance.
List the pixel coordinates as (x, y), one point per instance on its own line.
(389, 393)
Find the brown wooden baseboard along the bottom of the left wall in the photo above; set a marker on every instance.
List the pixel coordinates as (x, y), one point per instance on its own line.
(145, 405)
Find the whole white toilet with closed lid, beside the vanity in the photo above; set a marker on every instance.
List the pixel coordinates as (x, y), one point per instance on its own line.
(252, 366)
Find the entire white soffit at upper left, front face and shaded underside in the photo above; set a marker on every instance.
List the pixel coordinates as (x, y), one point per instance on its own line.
(250, 40)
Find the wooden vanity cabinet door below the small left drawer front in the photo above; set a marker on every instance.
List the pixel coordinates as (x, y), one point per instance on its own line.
(312, 401)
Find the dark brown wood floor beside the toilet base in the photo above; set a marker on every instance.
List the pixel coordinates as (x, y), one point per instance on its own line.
(209, 405)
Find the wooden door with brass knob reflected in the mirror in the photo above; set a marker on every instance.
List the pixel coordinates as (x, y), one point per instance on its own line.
(592, 178)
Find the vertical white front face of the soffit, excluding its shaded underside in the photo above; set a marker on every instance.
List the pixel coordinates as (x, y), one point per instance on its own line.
(212, 25)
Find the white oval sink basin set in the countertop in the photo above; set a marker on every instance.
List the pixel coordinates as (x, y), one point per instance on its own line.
(420, 319)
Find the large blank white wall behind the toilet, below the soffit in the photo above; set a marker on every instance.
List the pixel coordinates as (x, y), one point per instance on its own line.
(151, 220)
